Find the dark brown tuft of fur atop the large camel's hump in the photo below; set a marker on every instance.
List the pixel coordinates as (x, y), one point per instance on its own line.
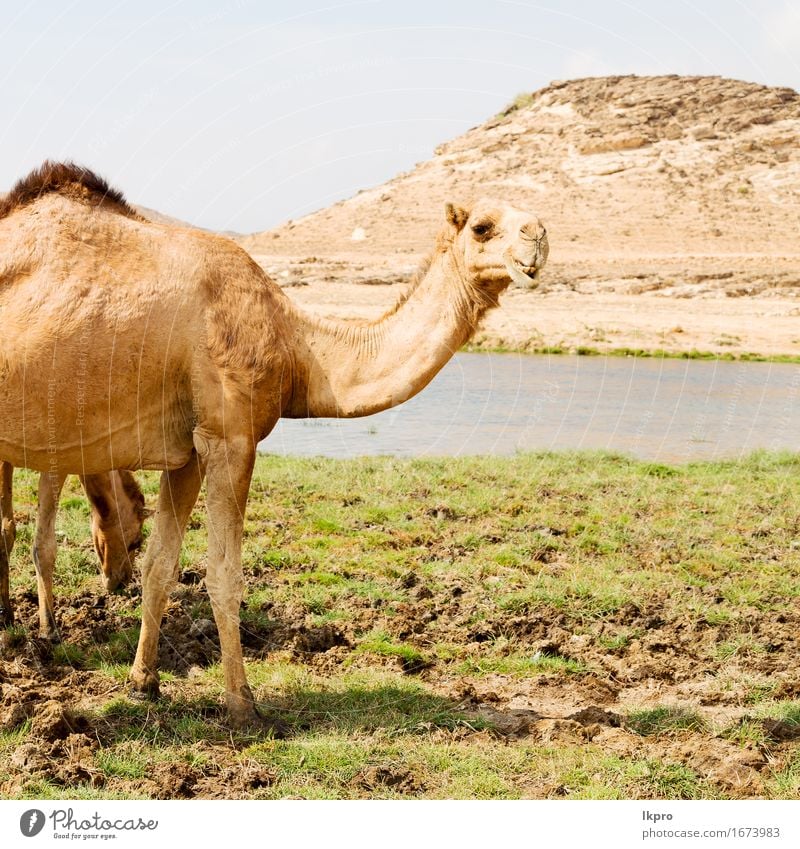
(68, 179)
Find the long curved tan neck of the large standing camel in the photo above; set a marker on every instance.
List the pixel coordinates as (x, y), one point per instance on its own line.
(355, 369)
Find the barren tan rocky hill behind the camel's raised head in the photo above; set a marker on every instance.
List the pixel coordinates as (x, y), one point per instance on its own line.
(685, 186)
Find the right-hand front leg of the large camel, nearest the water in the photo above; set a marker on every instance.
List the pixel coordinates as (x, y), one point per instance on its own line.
(230, 467)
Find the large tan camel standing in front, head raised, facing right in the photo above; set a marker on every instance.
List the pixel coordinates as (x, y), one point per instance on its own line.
(173, 350)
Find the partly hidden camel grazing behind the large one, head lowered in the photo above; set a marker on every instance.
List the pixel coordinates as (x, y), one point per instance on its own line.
(118, 514)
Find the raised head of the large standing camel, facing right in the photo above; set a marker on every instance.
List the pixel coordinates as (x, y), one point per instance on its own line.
(500, 244)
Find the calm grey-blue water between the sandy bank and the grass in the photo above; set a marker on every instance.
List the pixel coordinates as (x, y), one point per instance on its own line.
(655, 409)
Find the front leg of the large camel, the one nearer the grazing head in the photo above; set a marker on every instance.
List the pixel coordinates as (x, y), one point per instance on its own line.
(179, 490)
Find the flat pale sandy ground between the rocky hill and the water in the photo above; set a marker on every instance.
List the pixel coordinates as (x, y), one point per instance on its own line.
(590, 317)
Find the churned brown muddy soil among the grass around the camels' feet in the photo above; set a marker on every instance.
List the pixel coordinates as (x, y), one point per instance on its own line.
(666, 663)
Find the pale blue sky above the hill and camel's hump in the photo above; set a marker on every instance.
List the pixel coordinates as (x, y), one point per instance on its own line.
(240, 114)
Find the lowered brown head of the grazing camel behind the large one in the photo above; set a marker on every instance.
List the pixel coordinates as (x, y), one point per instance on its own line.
(118, 514)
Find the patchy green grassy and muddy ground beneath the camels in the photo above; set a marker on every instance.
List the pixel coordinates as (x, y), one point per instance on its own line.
(548, 625)
